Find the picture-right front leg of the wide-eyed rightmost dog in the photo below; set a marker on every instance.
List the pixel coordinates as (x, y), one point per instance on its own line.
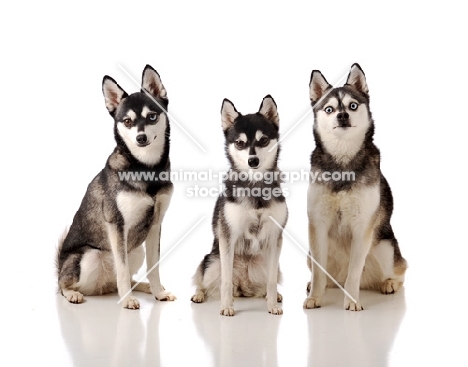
(360, 246)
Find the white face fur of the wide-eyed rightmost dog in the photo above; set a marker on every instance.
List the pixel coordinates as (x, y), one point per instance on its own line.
(342, 143)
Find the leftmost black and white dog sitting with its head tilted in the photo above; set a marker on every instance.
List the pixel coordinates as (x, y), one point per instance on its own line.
(103, 249)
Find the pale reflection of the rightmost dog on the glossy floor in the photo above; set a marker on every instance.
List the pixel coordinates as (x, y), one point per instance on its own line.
(339, 337)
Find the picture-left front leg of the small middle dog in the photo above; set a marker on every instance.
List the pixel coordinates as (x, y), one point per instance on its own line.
(226, 254)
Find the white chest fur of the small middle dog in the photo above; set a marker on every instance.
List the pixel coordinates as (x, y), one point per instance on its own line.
(254, 225)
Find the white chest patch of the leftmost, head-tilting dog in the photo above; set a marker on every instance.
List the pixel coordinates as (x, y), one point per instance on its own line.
(133, 206)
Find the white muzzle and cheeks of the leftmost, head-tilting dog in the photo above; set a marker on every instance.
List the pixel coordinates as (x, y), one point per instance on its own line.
(151, 153)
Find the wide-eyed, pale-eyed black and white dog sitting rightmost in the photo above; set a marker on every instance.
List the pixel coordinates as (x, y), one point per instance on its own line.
(349, 220)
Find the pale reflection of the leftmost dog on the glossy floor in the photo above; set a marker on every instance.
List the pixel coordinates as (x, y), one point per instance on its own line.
(106, 334)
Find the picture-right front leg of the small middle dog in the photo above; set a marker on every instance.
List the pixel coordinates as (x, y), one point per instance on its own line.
(272, 285)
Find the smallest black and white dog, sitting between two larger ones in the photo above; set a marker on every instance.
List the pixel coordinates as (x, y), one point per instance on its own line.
(244, 259)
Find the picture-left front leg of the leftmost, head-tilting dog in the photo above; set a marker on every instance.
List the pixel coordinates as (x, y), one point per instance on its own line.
(118, 241)
